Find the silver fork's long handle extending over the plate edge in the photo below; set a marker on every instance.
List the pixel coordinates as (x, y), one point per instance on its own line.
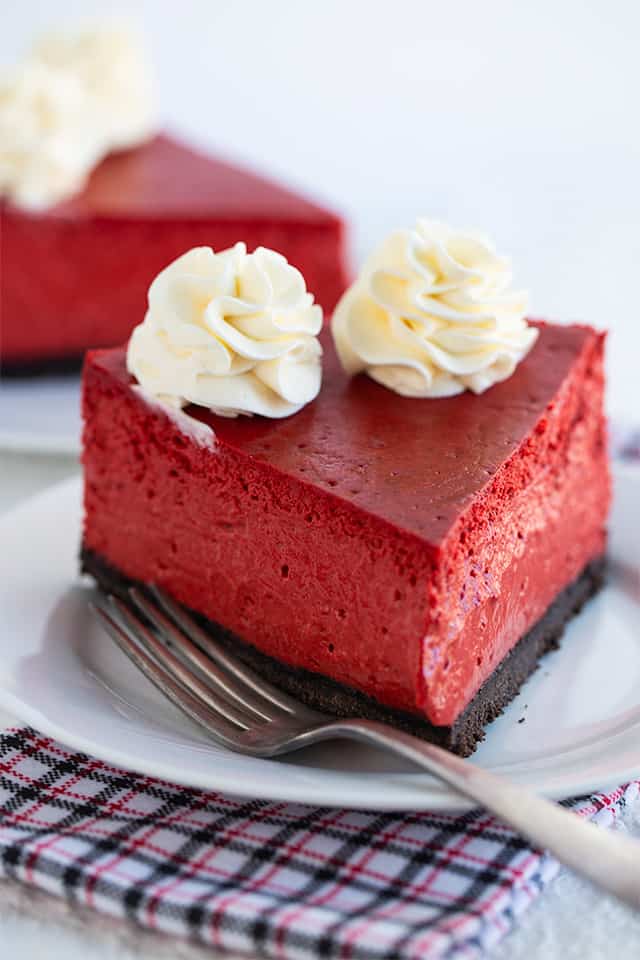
(609, 860)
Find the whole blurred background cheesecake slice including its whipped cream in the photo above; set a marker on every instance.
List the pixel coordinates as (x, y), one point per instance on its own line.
(92, 204)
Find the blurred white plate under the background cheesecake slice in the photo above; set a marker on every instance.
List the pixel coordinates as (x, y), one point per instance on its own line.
(40, 414)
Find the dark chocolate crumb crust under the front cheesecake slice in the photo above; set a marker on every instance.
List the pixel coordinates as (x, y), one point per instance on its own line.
(341, 701)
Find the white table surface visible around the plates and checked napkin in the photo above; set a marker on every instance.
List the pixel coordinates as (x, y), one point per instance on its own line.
(571, 921)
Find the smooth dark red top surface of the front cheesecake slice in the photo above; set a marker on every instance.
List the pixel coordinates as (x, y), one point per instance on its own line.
(415, 463)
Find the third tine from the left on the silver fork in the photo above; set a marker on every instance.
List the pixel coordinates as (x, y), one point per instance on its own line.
(236, 691)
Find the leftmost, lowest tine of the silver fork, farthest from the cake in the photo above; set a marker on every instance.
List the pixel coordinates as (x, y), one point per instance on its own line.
(217, 726)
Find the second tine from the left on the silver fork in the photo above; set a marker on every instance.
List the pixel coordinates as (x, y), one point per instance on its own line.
(125, 617)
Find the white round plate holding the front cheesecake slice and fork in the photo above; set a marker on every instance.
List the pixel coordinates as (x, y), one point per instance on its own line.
(59, 672)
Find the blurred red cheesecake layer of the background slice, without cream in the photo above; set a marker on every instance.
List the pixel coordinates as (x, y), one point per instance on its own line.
(77, 275)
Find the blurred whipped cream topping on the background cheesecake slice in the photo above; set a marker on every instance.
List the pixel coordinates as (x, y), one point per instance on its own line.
(73, 100)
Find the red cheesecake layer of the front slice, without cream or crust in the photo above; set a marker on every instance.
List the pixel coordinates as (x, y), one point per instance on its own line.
(399, 546)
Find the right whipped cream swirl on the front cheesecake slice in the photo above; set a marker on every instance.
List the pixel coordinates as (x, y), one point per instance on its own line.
(432, 314)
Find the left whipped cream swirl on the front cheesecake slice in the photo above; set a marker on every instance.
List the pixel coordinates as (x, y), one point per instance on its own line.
(233, 331)
